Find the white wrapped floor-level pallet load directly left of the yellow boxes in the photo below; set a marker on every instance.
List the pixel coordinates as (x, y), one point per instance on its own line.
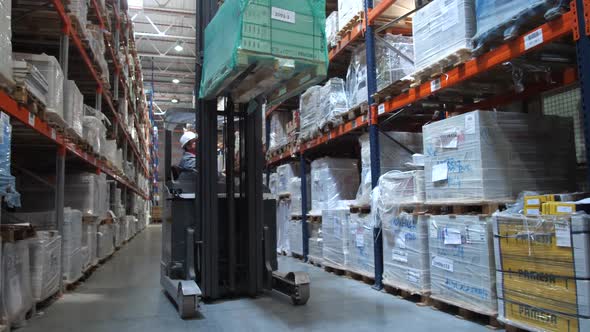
(462, 270)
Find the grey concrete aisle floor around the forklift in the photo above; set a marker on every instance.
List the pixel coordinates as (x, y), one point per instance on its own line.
(125, 295)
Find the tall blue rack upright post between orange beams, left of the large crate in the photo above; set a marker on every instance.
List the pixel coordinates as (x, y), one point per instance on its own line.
(373, 139)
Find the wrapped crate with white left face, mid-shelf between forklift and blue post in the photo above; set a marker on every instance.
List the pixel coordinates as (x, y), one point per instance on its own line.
(332, 180)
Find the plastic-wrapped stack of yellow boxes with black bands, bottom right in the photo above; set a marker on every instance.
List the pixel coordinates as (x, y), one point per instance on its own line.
(543, 271)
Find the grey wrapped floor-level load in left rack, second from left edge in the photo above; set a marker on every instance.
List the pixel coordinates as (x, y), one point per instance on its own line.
(45, 254)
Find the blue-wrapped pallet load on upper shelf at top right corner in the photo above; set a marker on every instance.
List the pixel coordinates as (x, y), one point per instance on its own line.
(499, 20)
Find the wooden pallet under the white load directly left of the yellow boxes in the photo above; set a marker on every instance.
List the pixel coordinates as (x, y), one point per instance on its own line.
(464, 311)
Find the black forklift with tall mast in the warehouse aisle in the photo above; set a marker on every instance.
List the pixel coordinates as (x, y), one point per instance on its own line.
(219, 228)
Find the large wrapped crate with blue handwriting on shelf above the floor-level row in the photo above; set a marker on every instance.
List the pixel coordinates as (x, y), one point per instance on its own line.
(496, 155)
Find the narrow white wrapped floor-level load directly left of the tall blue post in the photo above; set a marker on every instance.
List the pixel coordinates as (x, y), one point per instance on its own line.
(361, 259)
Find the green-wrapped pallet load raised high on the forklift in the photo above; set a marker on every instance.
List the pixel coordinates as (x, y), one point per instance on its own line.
(284, 38)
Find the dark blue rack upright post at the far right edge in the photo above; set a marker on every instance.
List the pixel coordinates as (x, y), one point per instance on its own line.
(583, 53)
